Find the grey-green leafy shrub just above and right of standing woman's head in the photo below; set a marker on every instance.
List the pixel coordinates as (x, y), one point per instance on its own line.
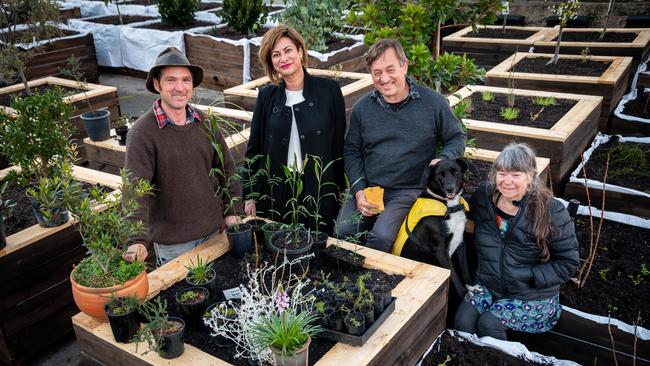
(316, 21)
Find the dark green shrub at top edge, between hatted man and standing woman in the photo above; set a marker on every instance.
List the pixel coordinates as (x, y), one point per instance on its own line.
(245, 16)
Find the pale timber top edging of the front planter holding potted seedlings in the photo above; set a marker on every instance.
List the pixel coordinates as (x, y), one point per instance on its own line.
(420, 283)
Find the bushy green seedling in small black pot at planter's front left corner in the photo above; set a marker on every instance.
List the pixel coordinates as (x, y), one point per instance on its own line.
(163, 334)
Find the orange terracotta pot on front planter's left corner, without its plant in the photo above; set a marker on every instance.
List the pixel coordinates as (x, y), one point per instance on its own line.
(91, 301)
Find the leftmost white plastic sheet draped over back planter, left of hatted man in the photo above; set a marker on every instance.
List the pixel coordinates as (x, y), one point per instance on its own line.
(107, 39)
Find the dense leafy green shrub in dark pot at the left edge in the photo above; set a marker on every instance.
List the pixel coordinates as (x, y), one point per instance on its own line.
(42, 153)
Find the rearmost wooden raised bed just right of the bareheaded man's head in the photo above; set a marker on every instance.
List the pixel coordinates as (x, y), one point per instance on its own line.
(489, 52)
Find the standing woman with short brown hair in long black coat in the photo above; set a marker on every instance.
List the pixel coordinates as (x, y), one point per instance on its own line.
(297, 117)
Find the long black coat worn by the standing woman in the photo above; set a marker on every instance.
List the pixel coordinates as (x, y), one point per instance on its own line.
(320, 119)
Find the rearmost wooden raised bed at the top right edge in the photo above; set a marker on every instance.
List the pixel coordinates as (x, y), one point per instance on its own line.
(633, 42)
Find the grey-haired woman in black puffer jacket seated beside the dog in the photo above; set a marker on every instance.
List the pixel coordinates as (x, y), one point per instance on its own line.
(526, 249)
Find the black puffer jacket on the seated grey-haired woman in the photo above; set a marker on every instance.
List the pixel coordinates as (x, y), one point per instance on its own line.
(511, 267)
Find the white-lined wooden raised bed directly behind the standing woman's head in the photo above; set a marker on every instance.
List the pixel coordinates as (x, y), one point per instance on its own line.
(349, 58)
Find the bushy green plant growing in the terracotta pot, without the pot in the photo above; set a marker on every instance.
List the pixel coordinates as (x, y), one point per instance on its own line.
(106, 233)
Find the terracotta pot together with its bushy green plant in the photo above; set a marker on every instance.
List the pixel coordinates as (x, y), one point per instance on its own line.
(106, 233)
